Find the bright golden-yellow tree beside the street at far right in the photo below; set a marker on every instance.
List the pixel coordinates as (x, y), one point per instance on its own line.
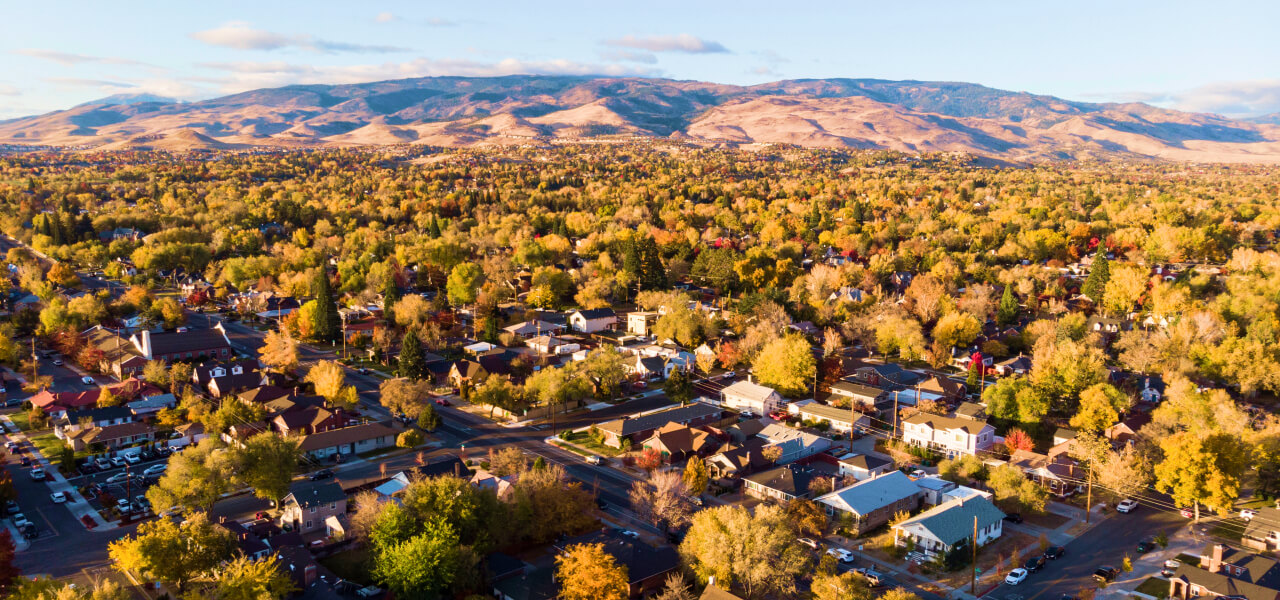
(1203, 470)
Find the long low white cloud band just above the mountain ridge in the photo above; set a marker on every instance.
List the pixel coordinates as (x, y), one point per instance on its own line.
(244, 76)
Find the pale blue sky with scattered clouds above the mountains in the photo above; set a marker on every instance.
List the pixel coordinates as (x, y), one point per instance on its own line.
(1220, 57)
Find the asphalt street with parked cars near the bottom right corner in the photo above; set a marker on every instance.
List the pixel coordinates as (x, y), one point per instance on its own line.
(1104, 546)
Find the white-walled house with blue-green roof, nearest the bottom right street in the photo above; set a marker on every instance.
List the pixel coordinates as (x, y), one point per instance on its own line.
(952, 525)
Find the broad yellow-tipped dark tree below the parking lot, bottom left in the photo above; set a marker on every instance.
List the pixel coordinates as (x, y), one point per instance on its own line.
(164, 551)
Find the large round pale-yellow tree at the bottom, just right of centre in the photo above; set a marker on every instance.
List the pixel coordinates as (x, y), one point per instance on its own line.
(765, 560)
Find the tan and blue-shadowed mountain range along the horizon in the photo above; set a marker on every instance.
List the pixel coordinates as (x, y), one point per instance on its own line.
(903, 116)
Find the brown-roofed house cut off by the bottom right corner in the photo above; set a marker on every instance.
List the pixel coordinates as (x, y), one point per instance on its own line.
(1227, 572)
